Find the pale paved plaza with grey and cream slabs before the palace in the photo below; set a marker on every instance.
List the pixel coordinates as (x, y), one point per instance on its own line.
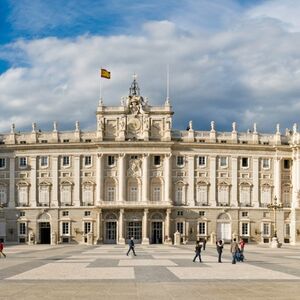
(105, 272)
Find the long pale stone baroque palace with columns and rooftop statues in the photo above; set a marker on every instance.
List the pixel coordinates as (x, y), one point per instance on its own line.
(137, 176)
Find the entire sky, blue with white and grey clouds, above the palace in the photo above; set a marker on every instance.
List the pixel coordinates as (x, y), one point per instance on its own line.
(230, 60)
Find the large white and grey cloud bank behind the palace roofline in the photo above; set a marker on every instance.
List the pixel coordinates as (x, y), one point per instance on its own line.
(247, 73)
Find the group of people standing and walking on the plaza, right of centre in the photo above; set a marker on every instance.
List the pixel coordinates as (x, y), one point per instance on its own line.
(236, 249)
